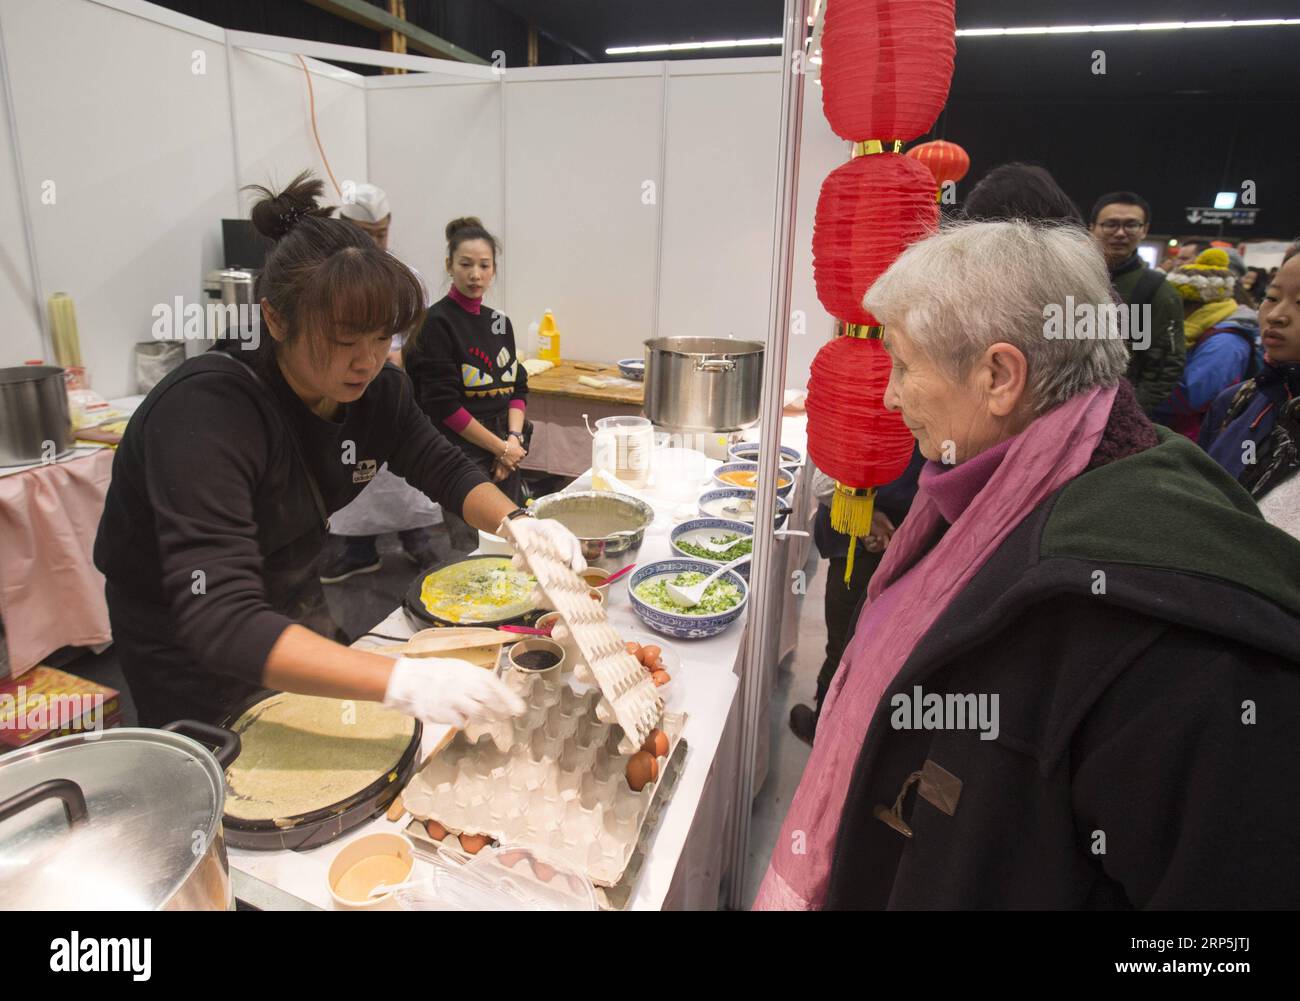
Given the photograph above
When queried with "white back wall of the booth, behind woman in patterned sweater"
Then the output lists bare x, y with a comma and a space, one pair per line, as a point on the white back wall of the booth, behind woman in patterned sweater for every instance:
626, 220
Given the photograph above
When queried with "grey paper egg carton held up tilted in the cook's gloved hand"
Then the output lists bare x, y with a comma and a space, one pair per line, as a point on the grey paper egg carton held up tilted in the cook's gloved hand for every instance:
630, 696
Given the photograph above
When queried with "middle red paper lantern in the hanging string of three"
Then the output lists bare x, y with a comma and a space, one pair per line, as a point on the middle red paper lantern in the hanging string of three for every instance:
869, 211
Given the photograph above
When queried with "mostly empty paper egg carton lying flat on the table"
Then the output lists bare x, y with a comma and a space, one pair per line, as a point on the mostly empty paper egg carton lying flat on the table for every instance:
556, 783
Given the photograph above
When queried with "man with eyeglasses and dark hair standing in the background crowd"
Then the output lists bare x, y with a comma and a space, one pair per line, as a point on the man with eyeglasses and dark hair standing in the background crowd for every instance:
1120, 223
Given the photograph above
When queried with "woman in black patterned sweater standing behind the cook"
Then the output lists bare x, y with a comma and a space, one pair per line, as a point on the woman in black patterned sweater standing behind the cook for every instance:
467, 375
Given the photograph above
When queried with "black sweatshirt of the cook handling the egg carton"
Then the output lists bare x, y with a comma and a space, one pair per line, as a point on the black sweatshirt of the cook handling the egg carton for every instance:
210, 515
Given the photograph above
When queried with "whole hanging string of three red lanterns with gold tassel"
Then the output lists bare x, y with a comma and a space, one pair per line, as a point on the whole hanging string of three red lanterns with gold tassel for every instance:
887, 67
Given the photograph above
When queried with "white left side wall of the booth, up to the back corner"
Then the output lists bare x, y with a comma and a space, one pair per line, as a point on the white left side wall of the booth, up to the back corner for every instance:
127, 110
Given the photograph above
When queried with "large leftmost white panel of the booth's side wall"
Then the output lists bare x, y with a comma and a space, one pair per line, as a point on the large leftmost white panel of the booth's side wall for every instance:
125, 162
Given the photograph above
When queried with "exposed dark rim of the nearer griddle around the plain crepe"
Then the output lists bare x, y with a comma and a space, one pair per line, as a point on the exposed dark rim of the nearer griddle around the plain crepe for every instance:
319, 827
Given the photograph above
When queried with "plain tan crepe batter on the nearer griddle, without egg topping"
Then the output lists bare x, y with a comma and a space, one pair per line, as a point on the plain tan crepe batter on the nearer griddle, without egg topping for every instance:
302, 753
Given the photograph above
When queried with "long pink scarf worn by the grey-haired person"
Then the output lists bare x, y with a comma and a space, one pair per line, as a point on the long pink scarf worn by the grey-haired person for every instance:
912, 588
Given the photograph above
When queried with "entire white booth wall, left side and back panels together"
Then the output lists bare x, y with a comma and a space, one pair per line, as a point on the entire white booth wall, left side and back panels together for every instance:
148, 155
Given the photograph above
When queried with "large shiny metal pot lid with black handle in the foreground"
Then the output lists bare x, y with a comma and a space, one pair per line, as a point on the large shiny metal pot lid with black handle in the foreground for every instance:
154, 804
